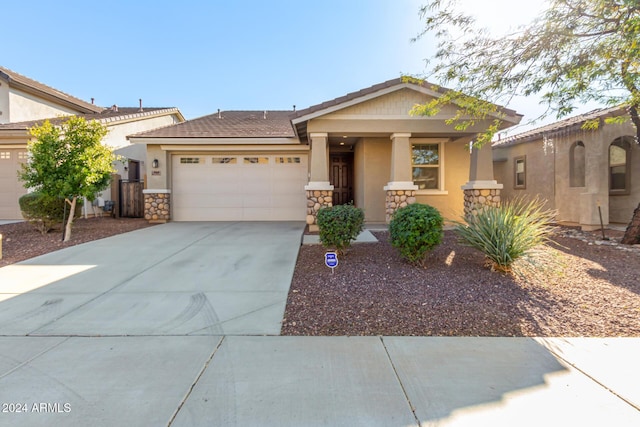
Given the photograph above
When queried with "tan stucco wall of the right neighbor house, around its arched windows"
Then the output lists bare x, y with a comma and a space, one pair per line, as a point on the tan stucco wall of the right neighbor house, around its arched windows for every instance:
548, 175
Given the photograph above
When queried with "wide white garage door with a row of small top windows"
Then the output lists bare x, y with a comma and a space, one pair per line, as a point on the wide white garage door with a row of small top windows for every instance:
247, 187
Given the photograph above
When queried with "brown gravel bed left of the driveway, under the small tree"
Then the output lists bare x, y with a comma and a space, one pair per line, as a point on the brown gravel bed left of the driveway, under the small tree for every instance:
22, 241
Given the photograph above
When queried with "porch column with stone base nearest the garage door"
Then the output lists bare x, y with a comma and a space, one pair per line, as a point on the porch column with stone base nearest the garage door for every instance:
319, 190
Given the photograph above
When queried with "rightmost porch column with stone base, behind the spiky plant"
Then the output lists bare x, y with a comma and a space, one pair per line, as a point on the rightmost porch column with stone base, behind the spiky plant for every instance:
481, 190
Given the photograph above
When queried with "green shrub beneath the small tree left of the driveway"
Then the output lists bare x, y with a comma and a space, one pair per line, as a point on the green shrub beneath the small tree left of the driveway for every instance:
44, 212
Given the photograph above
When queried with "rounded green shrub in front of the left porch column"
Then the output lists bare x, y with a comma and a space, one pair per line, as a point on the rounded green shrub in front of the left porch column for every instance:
339, 225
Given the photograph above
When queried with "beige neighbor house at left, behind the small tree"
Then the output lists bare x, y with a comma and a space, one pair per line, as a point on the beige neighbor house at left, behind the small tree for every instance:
25, 102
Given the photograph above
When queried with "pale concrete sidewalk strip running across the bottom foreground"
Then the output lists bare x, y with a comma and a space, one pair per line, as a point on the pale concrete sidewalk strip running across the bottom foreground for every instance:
309, 381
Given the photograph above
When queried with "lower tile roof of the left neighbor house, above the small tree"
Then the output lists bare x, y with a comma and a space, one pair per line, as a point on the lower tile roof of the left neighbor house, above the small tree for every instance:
106, 116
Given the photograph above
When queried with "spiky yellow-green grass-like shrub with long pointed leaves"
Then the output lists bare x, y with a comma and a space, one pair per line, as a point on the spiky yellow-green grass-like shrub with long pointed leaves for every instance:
509, 232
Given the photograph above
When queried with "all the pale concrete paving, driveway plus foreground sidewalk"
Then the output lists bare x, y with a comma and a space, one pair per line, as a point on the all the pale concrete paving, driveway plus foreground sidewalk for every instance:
176, 325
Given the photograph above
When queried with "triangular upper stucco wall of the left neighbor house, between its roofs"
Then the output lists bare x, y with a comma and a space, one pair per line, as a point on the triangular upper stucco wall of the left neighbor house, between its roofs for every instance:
25, 107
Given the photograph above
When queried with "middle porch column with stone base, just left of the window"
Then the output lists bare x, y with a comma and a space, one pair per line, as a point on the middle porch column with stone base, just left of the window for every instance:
401, 191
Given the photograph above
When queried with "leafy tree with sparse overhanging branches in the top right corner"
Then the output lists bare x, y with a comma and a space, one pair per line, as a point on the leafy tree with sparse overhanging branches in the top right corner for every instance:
574, 52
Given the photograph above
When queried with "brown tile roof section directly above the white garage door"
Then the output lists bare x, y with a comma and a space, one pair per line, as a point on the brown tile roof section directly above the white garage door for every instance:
230, 124
